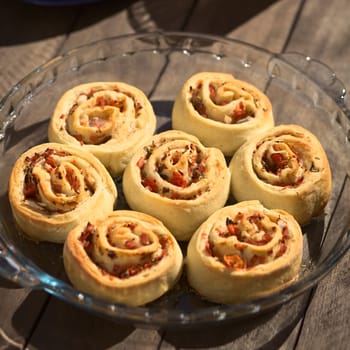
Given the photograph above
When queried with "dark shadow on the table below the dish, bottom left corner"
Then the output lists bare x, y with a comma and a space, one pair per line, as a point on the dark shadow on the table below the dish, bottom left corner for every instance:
49, 323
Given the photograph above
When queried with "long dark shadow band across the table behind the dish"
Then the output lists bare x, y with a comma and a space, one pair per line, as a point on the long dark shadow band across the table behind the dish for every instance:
31, 22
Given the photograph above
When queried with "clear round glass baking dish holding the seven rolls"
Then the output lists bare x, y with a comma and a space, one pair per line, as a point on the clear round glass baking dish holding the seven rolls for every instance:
302, 90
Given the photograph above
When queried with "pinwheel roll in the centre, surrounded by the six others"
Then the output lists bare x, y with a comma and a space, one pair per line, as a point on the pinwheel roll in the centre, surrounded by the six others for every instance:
178, 180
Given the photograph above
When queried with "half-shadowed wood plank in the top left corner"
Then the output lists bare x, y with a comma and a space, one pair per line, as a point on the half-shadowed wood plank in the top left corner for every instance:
31, 36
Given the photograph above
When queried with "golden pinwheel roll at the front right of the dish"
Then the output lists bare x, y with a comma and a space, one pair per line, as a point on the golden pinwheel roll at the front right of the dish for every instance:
243, 252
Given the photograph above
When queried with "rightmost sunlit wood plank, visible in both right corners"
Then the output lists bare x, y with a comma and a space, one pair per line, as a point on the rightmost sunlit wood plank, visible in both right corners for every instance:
324, 34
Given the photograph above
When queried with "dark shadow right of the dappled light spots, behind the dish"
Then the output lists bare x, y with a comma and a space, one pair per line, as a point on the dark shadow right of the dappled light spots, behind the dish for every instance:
215, 17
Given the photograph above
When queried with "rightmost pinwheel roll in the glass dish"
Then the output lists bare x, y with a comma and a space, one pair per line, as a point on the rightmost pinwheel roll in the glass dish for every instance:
285, 167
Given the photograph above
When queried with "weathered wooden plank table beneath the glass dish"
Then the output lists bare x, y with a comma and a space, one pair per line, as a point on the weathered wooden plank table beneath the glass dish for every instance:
30, 35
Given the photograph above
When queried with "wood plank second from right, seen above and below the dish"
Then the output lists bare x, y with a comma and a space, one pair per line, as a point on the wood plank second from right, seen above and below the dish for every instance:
280, 329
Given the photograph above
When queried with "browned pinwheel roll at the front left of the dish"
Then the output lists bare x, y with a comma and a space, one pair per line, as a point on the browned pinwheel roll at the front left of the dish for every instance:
126, 257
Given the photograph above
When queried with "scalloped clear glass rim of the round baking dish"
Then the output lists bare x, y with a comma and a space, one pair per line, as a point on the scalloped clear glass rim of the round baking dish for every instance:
26, 273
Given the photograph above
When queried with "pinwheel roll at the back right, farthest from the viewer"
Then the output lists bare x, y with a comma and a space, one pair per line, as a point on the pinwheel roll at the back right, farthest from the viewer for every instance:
222, 111
